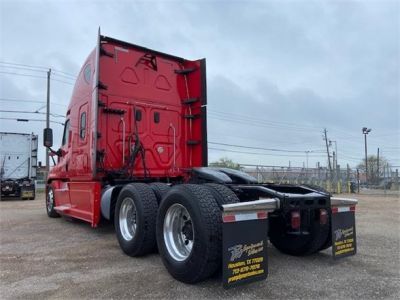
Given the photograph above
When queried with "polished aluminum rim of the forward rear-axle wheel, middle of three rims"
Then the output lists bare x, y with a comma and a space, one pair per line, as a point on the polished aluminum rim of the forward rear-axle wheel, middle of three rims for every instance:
128, 219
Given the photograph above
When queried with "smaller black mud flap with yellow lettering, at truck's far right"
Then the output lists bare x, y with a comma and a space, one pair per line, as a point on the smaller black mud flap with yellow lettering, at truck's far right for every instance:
344, 241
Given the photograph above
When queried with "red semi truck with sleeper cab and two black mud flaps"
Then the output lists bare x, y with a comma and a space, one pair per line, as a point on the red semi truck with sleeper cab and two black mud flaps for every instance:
134, 152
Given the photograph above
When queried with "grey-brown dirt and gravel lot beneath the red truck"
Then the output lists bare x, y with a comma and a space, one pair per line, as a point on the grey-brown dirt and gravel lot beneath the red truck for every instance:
60, 258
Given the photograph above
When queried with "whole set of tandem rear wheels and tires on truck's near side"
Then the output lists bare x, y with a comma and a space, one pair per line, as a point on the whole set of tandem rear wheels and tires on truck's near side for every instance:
185, 224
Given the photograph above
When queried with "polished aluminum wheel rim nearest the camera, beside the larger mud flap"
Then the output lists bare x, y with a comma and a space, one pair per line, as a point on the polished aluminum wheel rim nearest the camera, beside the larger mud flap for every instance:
178, 232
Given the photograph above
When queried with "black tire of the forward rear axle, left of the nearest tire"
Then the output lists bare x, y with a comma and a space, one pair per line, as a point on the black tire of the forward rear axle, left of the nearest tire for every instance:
143, 240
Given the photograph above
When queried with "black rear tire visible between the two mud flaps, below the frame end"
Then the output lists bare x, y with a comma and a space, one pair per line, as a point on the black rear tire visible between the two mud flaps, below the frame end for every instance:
297, 245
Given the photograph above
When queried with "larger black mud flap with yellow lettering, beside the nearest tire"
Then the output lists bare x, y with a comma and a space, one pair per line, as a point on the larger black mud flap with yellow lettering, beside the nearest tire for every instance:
244, 253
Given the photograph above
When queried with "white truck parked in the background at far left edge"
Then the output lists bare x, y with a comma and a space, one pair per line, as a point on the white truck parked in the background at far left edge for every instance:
18, 163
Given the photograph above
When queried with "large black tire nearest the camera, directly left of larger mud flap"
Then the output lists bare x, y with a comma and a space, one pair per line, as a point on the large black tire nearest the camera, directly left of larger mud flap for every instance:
204, 259
